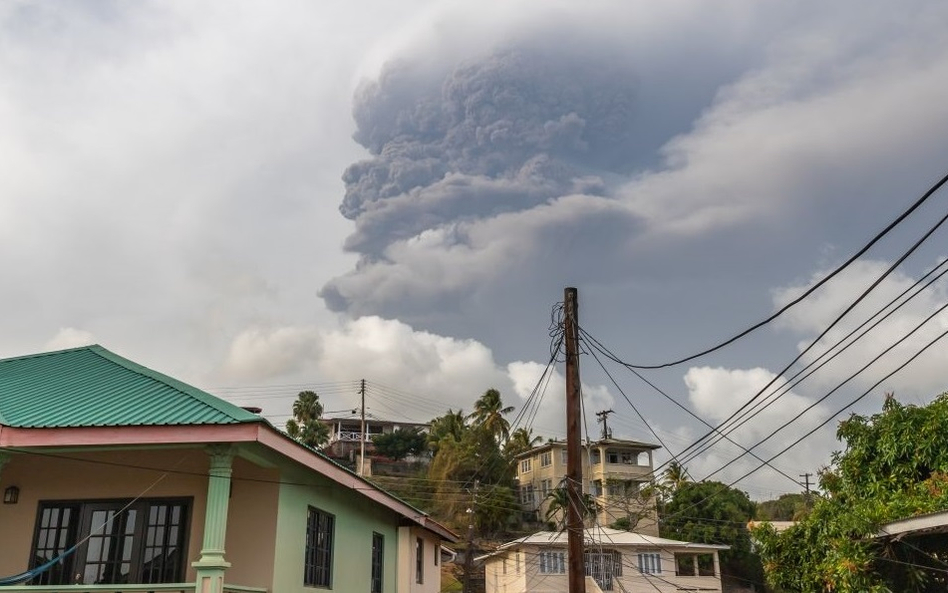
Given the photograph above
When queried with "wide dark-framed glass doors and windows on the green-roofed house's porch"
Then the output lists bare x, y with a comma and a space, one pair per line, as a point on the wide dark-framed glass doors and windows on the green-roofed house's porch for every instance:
121, 542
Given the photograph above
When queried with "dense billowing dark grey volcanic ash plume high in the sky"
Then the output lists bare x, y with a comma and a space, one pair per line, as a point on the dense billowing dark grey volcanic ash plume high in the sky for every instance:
456, 151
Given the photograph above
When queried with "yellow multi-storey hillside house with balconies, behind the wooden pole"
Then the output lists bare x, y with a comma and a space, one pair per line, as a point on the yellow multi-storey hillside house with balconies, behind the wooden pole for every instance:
614, 472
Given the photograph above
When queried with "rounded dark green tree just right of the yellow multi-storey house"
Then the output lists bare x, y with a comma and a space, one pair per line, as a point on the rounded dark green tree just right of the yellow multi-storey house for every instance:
714, 513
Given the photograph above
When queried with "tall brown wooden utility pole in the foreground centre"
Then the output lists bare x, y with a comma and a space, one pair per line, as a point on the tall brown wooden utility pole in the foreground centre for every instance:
574, 461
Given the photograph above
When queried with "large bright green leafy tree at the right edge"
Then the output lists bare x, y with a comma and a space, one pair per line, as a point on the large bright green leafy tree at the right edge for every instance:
893, 467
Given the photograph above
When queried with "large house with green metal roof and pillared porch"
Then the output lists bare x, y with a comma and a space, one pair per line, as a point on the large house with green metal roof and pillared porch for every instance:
117, 478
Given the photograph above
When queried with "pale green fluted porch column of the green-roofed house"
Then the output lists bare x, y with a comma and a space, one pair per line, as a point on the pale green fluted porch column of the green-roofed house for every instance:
211, 565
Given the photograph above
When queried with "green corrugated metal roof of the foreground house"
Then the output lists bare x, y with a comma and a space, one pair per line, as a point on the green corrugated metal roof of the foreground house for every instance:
91, 386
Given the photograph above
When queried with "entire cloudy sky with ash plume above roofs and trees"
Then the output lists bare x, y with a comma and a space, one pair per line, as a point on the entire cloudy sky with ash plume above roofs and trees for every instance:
260, 198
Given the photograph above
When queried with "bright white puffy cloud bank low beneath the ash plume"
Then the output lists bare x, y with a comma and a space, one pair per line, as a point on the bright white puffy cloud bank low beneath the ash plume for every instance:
413, 375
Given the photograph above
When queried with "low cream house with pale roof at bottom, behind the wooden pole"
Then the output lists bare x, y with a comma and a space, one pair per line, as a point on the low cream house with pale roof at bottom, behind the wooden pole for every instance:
614, 561
